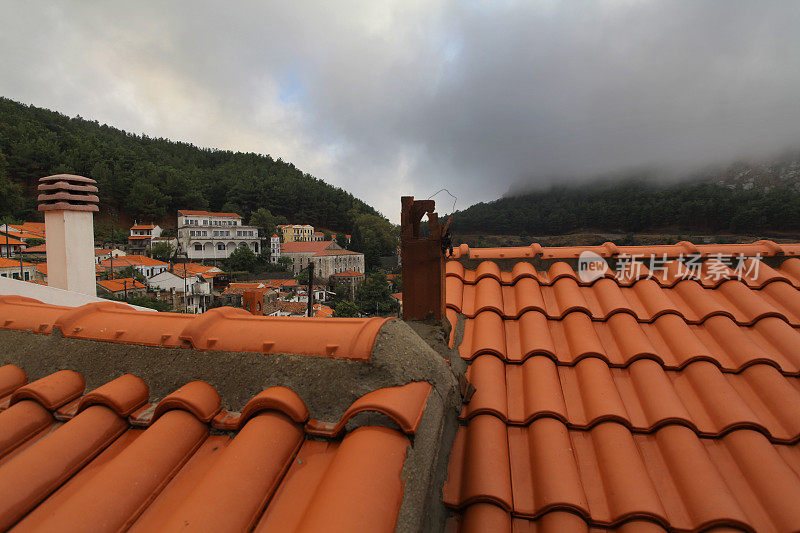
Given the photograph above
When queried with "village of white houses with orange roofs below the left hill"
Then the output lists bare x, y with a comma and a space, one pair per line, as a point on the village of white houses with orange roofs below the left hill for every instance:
189, 268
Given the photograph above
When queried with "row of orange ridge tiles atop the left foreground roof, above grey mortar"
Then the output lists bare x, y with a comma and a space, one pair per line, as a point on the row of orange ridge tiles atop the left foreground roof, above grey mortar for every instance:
223, 328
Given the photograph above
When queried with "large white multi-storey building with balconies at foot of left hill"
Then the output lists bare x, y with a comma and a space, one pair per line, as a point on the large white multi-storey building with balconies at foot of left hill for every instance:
206, 235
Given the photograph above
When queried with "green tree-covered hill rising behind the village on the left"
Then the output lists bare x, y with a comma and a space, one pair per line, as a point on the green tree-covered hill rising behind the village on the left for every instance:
150, 179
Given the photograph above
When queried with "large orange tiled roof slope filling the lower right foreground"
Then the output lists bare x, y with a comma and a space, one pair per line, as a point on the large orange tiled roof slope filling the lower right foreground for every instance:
661, 401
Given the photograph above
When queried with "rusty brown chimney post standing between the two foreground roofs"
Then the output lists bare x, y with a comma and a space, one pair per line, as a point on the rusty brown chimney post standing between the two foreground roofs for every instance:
423, 261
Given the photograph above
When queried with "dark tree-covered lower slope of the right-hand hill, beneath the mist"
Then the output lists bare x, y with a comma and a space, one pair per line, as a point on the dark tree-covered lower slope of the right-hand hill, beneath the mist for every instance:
637, 206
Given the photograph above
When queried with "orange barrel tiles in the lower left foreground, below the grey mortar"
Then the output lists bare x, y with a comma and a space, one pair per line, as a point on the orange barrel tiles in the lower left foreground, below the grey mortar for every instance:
122, 462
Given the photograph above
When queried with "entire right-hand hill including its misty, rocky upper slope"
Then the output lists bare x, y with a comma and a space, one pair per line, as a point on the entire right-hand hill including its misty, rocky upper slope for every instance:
743, 197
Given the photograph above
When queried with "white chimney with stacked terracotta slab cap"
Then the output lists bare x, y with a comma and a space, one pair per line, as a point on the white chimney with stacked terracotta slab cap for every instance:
68, 203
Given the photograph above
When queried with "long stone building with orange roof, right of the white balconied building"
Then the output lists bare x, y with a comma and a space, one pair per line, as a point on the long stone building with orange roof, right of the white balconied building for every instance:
328, 257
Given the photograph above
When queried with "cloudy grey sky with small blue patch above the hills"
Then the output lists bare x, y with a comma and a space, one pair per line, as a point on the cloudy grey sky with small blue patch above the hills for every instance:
406, 97
